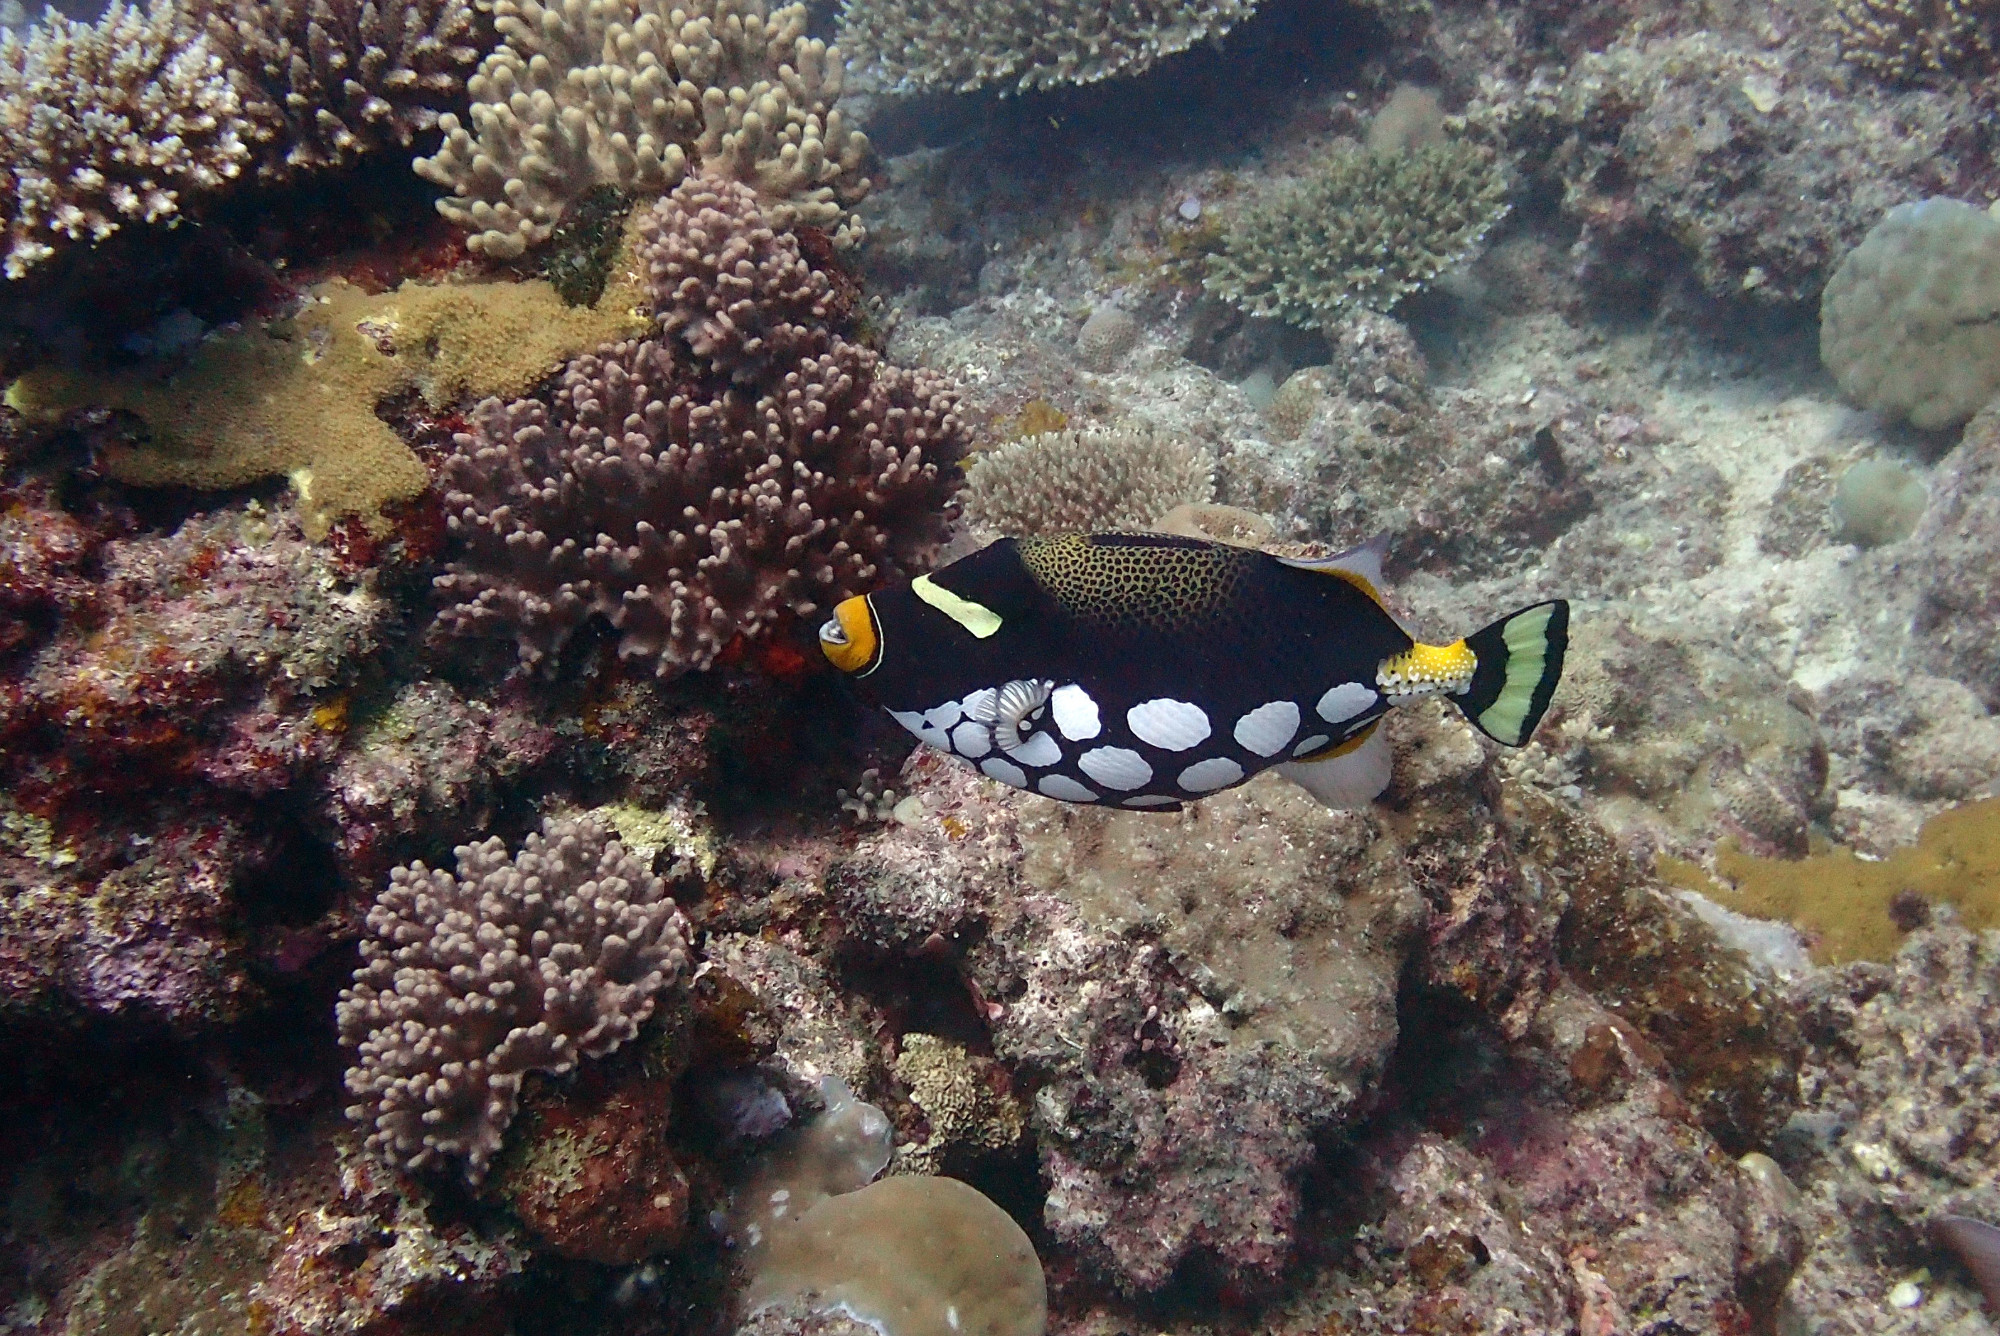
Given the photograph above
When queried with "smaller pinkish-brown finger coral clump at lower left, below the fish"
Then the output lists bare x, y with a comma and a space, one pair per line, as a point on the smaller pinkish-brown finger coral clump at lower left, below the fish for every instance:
517, 965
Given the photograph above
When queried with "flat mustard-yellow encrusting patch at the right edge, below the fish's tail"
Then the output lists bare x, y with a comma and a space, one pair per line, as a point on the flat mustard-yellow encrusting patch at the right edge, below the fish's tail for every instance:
1857, 909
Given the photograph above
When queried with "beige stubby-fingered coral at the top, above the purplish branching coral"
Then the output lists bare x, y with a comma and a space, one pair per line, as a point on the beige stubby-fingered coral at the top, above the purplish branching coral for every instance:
637, 93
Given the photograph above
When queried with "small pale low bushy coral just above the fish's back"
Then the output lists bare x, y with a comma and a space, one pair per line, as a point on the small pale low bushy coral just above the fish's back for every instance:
1085, 481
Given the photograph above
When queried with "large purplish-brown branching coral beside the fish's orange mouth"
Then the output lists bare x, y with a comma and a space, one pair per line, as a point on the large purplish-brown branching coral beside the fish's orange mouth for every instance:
747, 469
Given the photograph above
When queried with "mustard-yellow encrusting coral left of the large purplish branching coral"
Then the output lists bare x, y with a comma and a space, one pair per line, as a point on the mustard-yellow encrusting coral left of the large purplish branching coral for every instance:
299, 397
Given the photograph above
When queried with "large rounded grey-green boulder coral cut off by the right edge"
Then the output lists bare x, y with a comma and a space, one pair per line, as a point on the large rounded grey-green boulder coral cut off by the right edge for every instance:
1911, 321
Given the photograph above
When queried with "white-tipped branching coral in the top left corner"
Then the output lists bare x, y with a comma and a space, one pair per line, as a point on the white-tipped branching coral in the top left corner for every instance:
111, 123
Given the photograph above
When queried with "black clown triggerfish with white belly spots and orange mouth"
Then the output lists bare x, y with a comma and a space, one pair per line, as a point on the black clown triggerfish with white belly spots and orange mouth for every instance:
1141, 671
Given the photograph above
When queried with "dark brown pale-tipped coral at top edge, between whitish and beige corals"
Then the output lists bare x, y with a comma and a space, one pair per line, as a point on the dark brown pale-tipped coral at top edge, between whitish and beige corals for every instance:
329, 81
